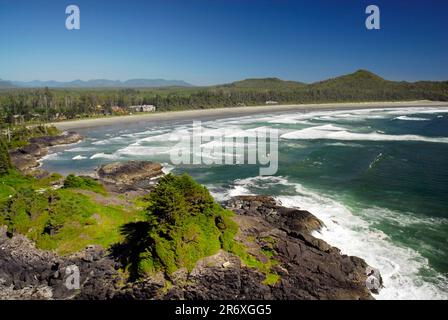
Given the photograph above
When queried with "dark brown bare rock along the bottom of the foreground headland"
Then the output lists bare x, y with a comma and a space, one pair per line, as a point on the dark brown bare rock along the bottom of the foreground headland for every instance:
307, 267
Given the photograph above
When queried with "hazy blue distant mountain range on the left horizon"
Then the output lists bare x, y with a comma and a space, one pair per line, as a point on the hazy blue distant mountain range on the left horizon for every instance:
96, 83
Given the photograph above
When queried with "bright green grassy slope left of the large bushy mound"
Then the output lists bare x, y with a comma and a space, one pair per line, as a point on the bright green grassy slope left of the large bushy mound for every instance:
64, 220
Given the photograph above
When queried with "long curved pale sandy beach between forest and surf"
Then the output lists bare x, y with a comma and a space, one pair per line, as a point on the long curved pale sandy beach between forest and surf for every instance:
236, 111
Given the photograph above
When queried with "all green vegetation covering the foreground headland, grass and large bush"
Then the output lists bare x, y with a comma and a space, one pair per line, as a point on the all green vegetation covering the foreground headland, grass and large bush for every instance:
68, 219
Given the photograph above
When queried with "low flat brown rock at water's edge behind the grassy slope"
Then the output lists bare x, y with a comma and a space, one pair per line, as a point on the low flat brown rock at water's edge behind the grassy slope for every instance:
131, 174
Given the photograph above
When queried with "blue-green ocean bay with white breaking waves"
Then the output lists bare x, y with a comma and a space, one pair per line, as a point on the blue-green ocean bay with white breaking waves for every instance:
377, 178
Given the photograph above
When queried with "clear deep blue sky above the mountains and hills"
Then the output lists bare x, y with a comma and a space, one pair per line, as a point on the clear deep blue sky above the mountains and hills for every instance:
217, 41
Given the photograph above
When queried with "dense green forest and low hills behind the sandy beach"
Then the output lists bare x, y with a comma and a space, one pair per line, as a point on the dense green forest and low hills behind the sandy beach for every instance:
43, 104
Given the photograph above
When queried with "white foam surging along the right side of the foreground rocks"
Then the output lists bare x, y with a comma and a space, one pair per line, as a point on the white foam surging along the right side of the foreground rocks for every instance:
400, 267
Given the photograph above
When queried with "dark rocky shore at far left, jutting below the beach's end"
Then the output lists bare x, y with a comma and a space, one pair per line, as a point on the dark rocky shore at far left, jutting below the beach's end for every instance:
26, 158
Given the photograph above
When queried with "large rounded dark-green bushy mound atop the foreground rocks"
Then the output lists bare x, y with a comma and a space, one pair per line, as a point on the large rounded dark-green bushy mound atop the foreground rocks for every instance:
185, 224
